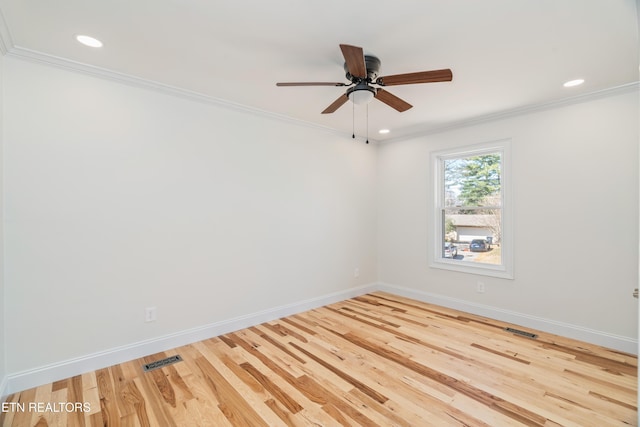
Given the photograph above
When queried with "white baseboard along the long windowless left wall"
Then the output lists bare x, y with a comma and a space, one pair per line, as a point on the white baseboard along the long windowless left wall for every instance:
91, 362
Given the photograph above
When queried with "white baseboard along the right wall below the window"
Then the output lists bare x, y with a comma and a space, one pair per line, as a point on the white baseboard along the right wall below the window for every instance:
616, 342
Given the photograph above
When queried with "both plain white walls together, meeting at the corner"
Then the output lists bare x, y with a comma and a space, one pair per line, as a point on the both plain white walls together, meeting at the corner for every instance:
117, 198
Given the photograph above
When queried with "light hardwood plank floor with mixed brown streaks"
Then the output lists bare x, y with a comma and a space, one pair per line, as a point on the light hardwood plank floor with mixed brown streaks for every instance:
378, 359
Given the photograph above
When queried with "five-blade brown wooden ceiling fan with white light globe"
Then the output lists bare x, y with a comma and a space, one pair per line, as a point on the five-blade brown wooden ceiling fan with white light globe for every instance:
362, 72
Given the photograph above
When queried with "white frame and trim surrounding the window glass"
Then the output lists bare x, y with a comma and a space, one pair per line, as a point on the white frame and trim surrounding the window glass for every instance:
504, 270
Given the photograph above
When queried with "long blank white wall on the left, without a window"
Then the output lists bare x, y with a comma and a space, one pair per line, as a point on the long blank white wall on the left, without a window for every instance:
118, 198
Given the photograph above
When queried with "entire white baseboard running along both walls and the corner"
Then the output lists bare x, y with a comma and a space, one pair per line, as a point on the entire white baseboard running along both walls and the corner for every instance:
68, 368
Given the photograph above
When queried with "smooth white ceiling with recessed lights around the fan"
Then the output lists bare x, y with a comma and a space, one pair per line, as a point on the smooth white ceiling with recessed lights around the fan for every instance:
505, 54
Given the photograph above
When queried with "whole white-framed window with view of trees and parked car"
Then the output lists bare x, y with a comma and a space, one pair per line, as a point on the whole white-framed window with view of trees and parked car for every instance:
471, 210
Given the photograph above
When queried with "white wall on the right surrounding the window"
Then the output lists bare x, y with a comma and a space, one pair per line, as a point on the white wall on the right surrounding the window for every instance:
575, 168
